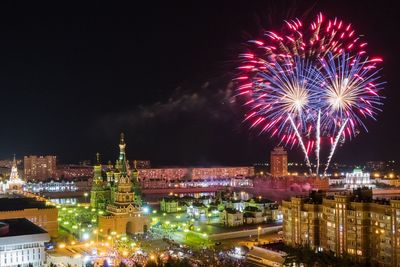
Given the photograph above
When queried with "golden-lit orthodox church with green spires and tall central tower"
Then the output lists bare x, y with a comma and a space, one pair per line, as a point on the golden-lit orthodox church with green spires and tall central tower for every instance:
118, 194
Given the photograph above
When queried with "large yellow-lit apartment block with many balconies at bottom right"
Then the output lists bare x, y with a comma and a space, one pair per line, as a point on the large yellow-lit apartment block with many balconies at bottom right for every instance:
346, 223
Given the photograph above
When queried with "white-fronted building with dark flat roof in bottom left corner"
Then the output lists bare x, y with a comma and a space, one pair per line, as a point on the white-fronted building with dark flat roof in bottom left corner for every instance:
22, 243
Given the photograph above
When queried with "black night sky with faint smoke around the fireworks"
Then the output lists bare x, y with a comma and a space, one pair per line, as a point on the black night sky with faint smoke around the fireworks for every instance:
72, 77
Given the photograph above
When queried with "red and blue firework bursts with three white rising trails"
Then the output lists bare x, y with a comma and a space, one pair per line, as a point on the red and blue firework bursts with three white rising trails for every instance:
310, 85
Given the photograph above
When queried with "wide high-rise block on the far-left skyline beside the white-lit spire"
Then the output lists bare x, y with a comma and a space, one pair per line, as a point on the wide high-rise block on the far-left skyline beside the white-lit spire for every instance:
39, 167
